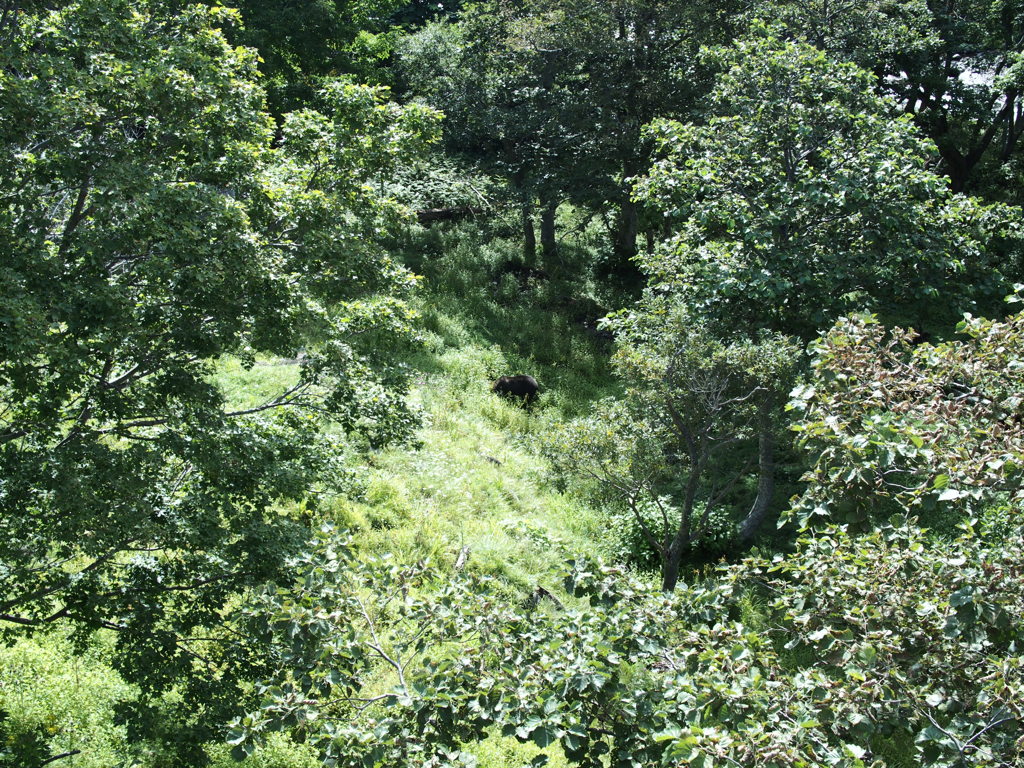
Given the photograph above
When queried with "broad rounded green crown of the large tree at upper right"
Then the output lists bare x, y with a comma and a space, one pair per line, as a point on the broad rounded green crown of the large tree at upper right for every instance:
804, 197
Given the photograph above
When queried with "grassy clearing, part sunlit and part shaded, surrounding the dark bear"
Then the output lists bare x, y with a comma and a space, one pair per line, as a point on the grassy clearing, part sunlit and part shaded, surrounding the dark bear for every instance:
477, 481
